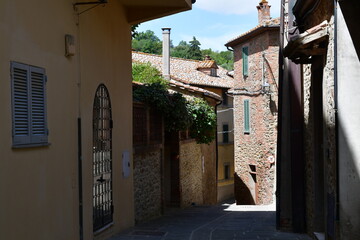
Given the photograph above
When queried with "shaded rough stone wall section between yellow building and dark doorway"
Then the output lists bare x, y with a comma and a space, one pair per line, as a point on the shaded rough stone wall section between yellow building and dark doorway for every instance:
147, 185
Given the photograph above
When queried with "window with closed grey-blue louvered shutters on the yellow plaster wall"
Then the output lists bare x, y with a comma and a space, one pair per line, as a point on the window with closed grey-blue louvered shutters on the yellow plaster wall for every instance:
29, 119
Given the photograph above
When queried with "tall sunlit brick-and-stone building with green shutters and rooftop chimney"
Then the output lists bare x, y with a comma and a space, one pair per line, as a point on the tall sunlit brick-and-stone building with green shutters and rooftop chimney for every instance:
255, 109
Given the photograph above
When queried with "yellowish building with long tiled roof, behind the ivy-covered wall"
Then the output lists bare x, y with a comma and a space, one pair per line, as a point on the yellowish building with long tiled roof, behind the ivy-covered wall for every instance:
208, 76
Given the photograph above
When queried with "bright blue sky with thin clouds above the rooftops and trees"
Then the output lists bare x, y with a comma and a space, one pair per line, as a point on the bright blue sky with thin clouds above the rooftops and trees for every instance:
212, 22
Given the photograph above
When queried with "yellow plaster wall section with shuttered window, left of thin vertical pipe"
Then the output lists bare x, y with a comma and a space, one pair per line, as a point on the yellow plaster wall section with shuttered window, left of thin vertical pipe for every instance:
38, 186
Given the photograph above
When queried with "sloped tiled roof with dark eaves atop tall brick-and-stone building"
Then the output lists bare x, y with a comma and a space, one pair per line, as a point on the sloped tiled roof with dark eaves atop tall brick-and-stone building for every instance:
272, 24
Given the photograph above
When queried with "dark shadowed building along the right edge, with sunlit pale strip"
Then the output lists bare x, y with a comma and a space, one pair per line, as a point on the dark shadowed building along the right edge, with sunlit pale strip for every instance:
319, 136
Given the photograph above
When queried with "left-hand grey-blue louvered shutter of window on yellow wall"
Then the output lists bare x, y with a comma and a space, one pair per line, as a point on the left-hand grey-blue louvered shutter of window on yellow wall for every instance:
20, 103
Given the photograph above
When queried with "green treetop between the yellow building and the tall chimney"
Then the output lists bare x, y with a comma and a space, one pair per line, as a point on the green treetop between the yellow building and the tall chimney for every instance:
147, 42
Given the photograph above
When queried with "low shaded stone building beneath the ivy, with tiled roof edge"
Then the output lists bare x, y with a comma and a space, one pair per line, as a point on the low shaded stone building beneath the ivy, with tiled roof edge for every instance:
170, 169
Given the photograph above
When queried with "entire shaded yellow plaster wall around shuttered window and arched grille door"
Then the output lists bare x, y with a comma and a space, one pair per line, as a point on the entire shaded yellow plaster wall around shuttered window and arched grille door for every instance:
39, 186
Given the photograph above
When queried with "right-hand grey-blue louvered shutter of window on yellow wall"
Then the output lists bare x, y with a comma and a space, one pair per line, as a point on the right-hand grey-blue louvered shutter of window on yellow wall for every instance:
38, 108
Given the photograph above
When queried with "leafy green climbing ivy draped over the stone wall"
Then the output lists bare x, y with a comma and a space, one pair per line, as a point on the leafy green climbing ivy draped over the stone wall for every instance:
179, 113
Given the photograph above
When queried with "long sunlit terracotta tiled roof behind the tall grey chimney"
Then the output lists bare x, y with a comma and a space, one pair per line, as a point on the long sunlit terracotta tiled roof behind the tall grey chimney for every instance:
185, 71
